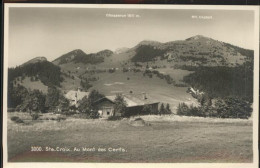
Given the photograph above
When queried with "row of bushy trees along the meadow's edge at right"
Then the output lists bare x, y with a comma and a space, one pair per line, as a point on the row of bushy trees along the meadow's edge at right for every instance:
228, 107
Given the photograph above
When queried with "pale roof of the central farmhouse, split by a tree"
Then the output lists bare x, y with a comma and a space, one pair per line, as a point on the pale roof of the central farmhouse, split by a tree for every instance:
132, 99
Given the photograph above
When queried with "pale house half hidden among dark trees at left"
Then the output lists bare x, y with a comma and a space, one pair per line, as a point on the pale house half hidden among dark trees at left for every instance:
75, 96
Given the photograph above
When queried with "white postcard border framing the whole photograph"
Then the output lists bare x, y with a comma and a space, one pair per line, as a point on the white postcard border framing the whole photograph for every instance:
150, 165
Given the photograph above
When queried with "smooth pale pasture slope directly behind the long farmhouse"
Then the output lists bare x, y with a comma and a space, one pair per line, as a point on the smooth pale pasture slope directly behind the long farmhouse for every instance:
157, 89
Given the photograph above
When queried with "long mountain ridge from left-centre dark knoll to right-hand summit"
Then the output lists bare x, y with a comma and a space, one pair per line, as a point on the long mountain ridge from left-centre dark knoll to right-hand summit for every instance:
194, 51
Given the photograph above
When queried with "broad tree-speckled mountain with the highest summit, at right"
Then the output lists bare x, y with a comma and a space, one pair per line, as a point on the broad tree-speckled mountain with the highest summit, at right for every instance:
195, 51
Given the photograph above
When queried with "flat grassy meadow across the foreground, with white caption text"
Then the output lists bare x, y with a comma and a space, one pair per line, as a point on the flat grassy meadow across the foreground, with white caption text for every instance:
171, 138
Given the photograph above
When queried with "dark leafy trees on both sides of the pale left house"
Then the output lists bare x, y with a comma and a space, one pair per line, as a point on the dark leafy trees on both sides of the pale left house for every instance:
35, 101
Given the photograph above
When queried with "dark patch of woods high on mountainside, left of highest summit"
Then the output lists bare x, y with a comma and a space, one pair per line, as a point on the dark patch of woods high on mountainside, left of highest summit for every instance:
146, 53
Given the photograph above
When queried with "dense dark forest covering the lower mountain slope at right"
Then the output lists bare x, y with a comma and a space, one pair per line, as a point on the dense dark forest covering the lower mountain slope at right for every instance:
221, 82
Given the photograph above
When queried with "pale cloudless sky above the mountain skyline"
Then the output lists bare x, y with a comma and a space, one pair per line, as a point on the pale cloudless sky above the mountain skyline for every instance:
52, 32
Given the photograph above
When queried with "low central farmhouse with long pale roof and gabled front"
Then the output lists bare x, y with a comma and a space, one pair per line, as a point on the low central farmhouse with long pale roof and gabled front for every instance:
135, 104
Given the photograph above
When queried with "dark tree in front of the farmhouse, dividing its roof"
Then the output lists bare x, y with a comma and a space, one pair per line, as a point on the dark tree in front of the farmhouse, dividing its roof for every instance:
120, 105
